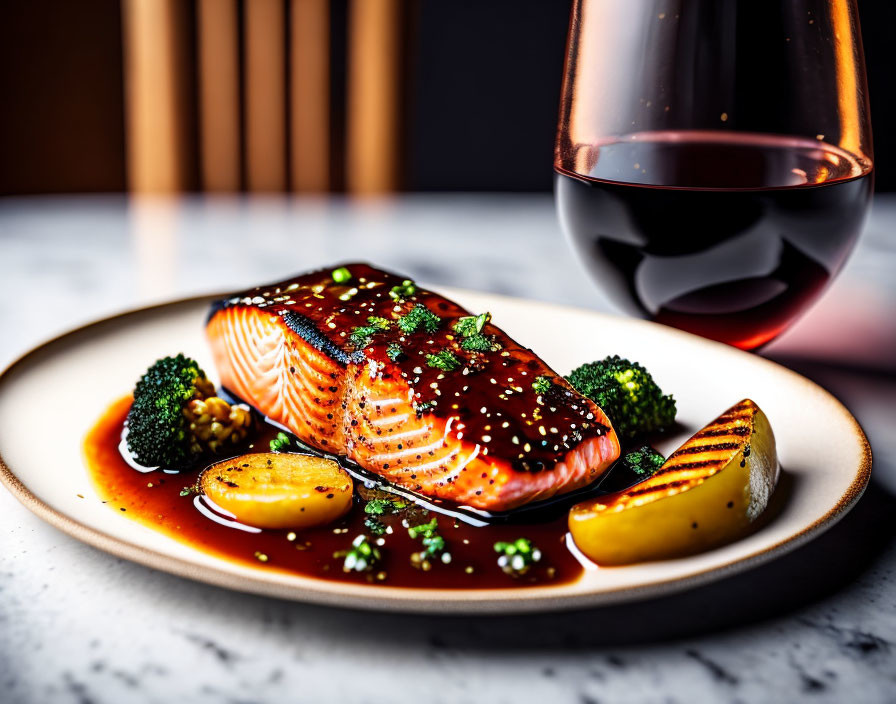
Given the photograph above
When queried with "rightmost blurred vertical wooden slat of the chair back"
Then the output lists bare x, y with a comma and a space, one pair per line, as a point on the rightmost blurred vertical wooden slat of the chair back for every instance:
375, 38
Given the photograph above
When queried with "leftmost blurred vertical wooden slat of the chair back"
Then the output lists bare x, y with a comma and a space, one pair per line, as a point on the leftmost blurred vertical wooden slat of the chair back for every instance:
154, 33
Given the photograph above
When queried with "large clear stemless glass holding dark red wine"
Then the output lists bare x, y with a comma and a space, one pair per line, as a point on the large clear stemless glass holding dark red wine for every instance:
713, 159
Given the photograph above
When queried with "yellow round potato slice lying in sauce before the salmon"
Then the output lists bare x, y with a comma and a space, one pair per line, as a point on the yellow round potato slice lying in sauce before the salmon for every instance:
279, 490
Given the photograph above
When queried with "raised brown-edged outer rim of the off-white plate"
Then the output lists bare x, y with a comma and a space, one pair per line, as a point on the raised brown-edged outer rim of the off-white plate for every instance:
409, 599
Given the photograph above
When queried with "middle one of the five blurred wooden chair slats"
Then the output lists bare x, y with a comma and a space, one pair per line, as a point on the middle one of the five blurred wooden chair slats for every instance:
265, 95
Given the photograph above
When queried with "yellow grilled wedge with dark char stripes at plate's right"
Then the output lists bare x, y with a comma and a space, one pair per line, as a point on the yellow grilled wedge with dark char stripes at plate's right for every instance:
707, 493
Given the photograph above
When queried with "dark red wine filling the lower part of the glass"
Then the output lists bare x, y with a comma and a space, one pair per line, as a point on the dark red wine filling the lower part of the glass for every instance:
743, 249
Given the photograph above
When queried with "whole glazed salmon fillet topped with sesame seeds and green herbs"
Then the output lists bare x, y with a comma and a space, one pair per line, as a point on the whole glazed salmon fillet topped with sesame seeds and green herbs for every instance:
452, 409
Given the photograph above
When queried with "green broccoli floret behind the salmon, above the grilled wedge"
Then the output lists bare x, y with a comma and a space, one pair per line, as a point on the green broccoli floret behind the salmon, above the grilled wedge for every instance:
627, 393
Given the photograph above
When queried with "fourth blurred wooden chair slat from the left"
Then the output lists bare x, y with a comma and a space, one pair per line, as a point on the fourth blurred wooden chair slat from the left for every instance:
309, 55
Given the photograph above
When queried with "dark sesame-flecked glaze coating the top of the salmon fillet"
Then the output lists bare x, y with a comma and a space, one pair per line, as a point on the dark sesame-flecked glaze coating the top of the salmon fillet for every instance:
490, 397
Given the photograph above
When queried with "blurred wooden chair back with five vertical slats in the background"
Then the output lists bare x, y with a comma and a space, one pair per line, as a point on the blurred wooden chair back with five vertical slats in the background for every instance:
262, 95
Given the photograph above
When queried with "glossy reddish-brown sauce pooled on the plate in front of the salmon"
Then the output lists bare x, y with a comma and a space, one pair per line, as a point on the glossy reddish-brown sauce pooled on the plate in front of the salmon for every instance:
154, 499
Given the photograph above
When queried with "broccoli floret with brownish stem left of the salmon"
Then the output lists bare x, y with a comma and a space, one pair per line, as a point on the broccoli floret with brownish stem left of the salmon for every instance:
176, 417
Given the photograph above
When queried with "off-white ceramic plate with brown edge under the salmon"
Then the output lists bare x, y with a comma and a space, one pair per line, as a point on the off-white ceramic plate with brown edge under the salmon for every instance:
823, 451
